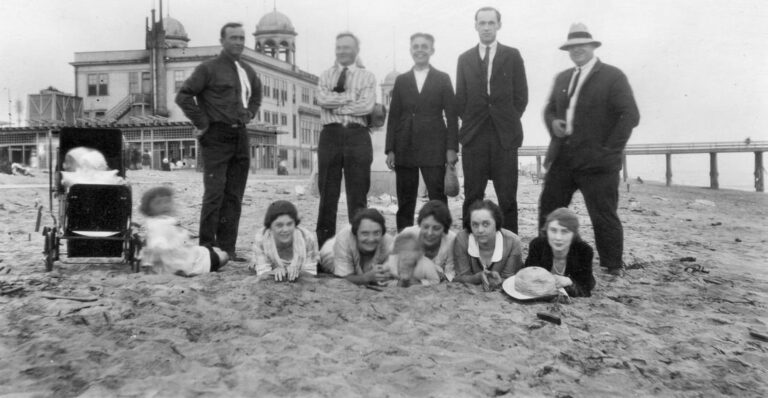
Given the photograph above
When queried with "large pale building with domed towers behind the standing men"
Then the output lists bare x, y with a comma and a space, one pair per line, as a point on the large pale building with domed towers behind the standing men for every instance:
135, 88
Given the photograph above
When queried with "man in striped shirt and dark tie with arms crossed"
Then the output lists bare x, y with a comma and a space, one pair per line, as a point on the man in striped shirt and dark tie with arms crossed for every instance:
346, 95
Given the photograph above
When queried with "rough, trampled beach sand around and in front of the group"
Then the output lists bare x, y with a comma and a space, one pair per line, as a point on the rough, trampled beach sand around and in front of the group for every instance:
666, 328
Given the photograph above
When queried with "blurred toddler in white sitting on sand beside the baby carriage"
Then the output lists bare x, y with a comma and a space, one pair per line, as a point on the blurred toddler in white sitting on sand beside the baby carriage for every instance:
169, 248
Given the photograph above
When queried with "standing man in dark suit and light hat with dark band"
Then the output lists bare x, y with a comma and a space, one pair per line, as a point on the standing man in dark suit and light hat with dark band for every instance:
590, 115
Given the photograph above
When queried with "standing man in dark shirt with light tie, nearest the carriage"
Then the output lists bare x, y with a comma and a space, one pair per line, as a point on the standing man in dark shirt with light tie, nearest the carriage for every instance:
220, 97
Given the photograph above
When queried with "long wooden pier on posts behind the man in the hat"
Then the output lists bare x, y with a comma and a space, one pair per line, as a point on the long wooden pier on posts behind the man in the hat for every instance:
712, 148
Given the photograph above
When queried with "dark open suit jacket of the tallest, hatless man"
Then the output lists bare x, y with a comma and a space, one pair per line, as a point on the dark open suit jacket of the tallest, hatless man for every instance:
506, 103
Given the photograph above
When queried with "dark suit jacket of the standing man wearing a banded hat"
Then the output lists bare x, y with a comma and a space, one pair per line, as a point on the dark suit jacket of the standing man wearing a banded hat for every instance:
603, 120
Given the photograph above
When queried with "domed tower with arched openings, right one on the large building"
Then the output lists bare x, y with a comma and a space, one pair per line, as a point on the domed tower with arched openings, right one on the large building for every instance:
276, 37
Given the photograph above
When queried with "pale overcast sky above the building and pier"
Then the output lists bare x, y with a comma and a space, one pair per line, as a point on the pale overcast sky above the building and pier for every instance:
699, 68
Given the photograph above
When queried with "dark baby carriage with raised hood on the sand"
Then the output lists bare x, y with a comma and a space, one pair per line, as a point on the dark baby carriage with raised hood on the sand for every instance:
94, 218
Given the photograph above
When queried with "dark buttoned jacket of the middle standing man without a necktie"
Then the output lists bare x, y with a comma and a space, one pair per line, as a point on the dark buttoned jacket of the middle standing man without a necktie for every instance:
416, 127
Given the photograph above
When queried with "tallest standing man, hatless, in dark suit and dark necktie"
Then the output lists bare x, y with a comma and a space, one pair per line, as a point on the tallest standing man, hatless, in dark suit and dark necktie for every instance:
491, 96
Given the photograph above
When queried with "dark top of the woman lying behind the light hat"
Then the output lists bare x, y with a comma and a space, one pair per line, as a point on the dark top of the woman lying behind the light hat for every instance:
578, 264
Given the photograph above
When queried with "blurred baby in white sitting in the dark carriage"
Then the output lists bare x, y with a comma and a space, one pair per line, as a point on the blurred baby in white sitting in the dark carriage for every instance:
84, 165
